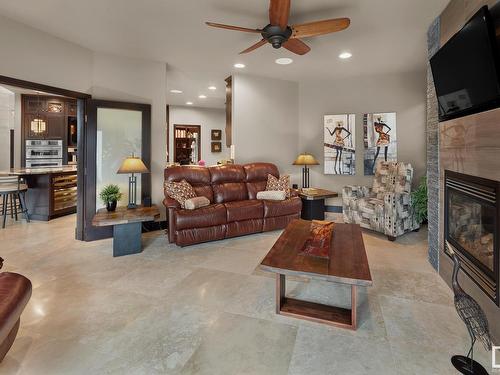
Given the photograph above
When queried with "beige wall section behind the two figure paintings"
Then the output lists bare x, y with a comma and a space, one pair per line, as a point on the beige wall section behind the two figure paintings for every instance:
404, 94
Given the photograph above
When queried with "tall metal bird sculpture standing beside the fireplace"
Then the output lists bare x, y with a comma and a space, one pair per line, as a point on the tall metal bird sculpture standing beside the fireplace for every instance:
475, 320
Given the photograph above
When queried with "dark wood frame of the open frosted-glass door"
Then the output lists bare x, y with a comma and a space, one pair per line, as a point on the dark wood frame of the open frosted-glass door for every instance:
92, 233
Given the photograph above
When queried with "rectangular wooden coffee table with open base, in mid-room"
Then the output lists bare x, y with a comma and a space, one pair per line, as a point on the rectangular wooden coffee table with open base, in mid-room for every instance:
347, 264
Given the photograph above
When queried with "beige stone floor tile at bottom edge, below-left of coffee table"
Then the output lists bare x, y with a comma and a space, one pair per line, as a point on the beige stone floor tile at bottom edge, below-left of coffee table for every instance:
235, 344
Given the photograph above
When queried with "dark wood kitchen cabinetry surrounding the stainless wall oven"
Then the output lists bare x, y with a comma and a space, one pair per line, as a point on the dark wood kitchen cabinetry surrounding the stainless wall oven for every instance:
59, 117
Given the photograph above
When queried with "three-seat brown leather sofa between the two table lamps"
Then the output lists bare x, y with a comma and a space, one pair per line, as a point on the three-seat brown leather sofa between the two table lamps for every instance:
234, 209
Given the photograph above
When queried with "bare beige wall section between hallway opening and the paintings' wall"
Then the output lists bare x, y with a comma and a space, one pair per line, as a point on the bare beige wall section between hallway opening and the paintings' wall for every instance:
265, 122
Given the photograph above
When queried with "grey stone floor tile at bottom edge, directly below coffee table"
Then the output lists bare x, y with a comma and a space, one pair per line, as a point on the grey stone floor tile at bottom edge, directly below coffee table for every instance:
319, 351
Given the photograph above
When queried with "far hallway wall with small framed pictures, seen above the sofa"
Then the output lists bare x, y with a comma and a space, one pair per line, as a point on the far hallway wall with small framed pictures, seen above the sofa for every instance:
208, 119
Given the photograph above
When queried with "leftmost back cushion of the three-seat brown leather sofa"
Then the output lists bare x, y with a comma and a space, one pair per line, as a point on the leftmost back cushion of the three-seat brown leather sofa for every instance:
198, 177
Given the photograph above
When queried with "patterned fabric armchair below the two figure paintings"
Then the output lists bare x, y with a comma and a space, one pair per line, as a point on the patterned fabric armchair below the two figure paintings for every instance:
386, 207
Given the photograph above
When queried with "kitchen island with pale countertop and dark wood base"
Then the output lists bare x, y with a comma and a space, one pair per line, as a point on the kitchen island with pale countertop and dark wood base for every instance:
52, 192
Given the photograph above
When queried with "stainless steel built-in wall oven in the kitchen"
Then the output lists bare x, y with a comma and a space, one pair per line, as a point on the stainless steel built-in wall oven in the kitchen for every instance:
44, 153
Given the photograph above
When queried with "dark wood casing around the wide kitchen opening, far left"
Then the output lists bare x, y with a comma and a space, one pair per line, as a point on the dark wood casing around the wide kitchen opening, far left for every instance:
81, 125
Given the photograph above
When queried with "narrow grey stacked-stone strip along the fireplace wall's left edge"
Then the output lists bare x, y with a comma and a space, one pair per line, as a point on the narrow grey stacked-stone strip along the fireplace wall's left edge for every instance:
433, 37
